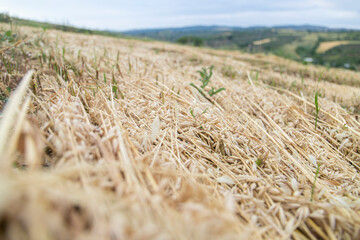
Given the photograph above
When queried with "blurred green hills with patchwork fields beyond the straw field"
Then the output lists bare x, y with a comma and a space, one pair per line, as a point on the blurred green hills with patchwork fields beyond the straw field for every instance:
300, 43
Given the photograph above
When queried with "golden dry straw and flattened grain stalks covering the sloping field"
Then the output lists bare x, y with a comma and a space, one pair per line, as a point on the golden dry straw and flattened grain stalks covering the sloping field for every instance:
106, 139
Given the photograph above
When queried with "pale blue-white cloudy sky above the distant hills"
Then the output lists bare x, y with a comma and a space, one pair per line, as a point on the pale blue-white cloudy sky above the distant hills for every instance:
135, 14
